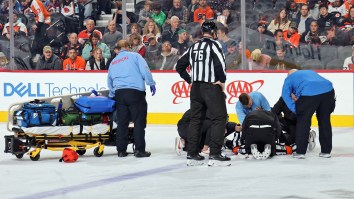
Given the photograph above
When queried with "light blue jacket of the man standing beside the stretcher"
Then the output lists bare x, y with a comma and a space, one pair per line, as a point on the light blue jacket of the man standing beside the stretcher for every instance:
121, 75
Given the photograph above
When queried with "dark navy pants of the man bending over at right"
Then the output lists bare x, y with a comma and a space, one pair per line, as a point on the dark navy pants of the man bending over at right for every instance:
306, 106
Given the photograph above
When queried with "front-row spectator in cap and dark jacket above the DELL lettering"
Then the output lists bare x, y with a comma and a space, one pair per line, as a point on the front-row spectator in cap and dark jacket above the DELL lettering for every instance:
48, 60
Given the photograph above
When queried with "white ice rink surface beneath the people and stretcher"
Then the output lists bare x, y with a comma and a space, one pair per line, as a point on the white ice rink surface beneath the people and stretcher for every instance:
165, 175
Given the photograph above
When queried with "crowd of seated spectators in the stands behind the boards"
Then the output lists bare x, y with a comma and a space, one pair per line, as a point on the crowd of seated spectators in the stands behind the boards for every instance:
281, 34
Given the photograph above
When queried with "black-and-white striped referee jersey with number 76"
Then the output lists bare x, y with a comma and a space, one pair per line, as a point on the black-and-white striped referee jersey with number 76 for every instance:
207, 62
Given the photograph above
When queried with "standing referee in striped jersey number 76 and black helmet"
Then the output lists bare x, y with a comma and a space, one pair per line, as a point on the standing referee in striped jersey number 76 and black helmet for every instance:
207, 63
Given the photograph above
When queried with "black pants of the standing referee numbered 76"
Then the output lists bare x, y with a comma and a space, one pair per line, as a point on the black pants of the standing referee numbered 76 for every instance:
207, 96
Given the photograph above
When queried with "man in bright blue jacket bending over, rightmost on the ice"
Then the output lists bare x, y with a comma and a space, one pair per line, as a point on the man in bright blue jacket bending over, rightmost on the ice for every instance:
311, 93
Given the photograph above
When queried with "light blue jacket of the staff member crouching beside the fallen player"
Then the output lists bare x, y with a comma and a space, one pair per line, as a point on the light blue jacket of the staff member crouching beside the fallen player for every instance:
258, 101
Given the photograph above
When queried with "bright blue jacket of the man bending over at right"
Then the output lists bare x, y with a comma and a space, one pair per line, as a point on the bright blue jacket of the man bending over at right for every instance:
304, 83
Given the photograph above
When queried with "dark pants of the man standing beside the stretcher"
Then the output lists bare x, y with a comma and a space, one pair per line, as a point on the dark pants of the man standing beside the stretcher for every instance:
131, 105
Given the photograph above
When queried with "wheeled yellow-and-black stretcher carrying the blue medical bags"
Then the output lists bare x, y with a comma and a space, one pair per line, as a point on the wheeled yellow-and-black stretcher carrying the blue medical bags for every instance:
33, 140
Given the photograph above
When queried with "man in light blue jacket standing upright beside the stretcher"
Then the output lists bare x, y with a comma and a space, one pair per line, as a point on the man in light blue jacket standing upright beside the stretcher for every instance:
127, 75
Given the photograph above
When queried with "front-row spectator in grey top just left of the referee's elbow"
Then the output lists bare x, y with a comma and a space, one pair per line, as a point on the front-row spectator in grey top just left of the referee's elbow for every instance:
167, 60
